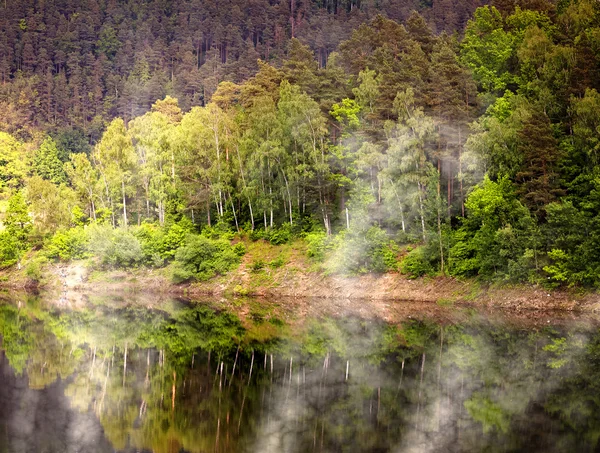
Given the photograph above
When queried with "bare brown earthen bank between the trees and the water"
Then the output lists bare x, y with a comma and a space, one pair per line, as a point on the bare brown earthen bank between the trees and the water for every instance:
286, 273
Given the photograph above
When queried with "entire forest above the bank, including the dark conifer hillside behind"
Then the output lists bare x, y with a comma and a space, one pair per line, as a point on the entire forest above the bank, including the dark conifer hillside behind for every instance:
438, 137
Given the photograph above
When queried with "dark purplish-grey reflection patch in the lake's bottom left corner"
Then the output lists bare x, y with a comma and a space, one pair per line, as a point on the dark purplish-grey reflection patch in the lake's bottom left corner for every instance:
42, 421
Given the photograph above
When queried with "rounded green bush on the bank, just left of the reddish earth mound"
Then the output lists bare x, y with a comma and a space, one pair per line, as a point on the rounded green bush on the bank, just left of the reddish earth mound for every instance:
202, 258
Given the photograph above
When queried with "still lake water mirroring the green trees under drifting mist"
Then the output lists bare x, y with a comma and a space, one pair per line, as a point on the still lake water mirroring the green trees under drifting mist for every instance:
113, 376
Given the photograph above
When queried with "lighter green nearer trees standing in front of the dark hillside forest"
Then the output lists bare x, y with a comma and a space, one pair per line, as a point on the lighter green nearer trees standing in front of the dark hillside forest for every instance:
482, 148
